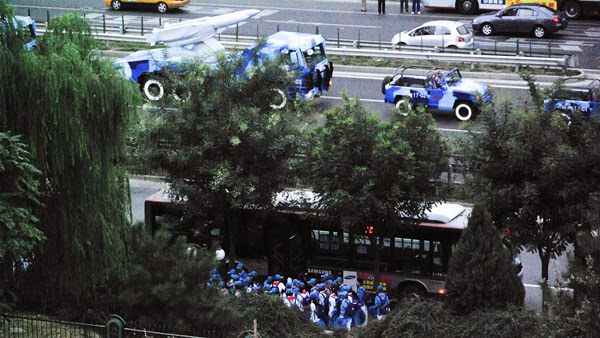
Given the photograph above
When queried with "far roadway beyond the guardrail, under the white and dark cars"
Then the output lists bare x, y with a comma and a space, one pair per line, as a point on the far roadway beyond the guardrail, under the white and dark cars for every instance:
333, 19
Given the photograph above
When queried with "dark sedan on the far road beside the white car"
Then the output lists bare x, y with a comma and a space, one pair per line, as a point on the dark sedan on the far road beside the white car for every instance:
533, 19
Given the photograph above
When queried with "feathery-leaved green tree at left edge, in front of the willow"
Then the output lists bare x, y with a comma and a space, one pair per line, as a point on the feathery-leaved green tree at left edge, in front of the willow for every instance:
19, 197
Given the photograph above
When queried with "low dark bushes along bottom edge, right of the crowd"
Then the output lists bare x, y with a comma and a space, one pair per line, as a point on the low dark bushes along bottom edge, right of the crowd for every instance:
426, 318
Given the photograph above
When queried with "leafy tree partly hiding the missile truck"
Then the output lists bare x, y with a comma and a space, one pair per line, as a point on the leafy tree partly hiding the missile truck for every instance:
225, 149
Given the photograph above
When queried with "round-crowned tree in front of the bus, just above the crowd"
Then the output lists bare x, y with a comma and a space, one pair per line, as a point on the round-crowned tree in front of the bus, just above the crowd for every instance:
368, 173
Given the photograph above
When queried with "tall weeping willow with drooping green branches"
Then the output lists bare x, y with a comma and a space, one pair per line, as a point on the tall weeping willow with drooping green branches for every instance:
74, 114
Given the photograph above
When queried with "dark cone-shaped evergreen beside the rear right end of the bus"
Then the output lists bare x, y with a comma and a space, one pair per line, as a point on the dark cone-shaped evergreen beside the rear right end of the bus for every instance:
480, 273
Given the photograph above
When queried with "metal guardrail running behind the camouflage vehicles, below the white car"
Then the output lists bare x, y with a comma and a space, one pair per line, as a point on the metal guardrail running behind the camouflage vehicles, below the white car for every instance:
475, 57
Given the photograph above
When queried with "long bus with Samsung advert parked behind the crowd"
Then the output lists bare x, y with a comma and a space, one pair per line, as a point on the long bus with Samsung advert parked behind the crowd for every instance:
294, 241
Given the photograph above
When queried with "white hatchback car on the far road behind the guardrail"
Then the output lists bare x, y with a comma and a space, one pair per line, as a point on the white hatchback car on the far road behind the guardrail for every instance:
442, 33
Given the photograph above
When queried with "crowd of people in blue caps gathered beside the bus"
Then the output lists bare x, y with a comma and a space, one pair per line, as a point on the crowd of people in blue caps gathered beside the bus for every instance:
327, 302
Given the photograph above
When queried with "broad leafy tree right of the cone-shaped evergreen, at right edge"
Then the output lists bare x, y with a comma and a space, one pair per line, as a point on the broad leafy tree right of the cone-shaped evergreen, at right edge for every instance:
534, 172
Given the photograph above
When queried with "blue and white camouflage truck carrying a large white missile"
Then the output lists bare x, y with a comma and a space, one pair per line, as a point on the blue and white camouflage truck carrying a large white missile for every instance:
194, 39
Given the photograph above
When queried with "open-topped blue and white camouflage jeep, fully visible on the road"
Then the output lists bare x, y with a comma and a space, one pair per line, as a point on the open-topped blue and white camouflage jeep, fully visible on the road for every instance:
443, 92
